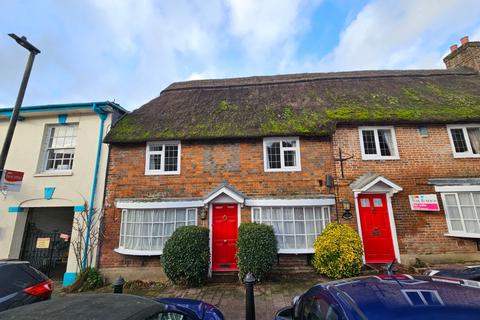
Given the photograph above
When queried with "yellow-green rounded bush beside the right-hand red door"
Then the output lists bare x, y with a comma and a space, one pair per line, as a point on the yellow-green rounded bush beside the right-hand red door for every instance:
338, 252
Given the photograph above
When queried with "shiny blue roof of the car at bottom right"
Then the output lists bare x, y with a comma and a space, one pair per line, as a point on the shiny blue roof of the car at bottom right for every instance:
400, 296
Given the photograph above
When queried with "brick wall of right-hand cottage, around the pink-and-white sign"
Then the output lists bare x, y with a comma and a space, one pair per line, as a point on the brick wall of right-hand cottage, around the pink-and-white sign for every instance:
421, 158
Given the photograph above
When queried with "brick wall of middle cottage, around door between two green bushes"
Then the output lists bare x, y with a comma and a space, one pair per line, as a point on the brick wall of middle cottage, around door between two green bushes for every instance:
205, 165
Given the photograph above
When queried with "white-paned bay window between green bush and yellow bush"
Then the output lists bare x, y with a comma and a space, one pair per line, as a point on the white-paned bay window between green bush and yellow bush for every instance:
295, 228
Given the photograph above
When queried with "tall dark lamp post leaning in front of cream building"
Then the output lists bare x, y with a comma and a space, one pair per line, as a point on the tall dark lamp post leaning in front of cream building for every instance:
21, 93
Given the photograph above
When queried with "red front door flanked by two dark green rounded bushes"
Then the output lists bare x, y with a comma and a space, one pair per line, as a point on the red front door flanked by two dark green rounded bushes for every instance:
224, 237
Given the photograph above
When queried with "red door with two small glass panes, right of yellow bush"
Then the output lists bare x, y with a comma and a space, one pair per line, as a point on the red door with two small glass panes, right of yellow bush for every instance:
376, 233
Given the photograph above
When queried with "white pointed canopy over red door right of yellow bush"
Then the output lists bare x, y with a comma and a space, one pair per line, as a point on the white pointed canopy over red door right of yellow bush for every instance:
374, 183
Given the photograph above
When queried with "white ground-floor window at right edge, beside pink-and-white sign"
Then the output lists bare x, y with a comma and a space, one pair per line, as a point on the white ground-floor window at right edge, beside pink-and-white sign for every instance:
462, 211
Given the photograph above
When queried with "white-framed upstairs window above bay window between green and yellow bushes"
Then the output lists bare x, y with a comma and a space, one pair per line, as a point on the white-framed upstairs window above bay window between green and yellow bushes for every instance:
281, 154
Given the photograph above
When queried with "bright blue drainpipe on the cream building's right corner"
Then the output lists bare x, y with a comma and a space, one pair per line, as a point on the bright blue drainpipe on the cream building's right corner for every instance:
103, 115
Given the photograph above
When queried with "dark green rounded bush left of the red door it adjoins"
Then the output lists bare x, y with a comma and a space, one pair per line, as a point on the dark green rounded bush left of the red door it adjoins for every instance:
186, 256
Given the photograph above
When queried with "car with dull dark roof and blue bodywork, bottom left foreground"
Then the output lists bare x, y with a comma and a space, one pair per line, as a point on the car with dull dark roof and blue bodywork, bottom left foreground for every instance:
114, 307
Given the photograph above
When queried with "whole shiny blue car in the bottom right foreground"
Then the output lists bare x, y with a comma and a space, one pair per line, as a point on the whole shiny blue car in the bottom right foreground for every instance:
389, 297
